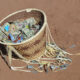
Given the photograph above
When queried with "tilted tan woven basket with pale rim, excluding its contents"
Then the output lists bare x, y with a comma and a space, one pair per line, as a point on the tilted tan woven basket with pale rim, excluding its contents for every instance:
34, 47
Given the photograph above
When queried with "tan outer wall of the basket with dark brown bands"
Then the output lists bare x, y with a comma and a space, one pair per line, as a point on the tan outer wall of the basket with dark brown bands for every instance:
34, 48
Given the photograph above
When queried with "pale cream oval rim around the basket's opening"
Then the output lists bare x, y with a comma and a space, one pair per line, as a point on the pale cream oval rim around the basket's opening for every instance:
27, 10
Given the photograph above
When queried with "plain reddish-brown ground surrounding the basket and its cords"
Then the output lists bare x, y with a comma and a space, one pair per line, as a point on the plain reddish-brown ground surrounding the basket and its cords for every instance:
64, 21
